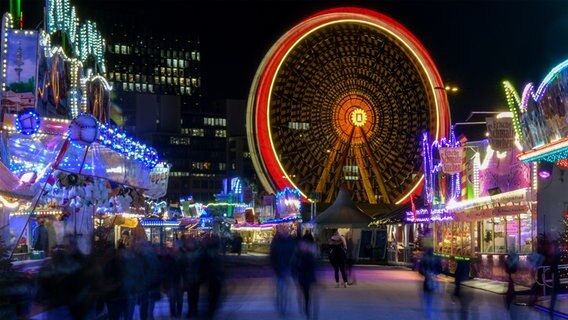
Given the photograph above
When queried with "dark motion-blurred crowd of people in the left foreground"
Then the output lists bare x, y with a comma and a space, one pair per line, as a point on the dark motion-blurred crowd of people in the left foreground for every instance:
114, 280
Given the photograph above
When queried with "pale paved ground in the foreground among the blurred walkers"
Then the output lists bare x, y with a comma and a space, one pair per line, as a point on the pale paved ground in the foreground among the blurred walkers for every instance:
379, 293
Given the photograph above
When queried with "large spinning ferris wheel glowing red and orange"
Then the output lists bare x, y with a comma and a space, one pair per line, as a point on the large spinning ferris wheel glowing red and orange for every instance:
345, 96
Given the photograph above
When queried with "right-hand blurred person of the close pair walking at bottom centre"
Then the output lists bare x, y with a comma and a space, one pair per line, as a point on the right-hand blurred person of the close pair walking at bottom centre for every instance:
305, 271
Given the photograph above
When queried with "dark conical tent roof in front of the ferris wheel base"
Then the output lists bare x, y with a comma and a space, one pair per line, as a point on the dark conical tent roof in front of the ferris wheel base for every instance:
343, 213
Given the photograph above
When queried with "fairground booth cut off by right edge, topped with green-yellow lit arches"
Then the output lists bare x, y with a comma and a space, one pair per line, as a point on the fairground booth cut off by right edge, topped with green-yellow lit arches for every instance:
541, 123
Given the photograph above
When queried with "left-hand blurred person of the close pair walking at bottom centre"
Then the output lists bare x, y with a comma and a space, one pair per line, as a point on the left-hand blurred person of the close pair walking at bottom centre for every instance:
282, 249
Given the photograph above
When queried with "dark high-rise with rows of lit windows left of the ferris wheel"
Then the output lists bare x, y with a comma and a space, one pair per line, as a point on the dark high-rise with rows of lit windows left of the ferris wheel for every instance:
157, 97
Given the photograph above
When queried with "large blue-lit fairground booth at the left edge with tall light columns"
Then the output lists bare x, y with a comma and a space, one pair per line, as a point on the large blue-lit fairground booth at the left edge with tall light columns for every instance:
65, 164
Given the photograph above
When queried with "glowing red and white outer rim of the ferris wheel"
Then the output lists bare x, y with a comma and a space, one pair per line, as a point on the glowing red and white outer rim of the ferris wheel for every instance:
259, 134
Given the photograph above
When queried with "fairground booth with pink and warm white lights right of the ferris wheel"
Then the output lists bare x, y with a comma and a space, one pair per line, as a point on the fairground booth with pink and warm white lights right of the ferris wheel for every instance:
480, 201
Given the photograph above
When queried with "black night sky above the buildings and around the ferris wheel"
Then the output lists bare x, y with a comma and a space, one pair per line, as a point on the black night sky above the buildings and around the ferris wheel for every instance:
474, 44
